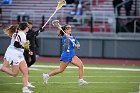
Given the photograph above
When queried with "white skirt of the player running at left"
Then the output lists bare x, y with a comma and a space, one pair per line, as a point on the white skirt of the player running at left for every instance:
14, 56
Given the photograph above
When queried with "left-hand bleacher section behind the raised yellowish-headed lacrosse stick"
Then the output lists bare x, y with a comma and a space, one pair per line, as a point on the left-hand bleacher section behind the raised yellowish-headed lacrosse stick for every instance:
35, 9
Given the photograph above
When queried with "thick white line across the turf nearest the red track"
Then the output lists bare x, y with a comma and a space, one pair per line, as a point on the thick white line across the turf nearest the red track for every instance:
90, 68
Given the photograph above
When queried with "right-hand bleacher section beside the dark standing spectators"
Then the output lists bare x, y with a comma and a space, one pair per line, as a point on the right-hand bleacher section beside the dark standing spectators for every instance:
104, 16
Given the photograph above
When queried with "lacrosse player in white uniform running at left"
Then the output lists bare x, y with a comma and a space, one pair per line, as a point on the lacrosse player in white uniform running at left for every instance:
14, 54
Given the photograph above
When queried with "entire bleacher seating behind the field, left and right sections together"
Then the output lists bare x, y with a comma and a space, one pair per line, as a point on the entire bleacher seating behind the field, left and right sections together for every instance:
103, 14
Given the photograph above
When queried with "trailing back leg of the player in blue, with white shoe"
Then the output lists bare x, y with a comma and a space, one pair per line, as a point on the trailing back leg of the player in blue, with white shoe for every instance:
62, 67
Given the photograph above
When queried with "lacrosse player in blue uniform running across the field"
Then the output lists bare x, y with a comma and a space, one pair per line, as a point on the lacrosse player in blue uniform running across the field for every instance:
68, 55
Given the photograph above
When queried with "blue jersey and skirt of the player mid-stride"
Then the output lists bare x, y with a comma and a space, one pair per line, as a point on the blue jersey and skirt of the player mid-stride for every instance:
69, 48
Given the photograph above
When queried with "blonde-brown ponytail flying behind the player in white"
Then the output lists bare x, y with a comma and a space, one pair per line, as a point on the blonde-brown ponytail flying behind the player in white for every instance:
9, 31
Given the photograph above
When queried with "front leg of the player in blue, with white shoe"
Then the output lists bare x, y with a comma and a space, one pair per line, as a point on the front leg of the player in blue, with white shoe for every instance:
77, 62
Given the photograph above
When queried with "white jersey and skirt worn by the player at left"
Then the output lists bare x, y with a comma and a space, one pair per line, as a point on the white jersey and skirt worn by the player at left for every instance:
15, 55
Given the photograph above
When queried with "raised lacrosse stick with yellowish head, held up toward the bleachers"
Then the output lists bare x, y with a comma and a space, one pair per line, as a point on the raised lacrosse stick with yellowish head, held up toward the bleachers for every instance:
59, 6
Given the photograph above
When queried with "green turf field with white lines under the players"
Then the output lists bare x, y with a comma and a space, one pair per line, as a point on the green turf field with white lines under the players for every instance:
101, 78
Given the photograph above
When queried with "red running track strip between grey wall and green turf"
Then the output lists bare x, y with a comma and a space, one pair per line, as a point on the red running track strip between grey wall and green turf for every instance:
92, 60
